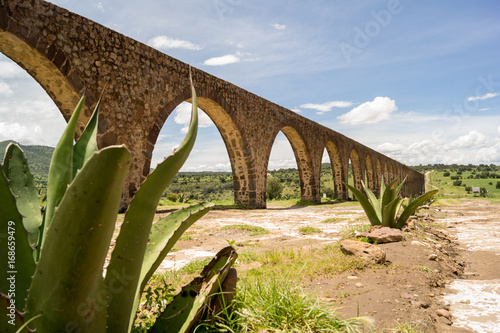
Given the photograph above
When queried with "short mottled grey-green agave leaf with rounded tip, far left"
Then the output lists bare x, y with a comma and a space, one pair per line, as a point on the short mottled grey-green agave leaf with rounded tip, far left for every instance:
23, 187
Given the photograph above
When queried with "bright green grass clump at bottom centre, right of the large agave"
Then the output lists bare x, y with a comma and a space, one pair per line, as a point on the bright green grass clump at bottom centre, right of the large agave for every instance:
279, 305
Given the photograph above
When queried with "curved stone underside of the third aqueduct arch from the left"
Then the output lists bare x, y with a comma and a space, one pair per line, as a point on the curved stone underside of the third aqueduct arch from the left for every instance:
304, 163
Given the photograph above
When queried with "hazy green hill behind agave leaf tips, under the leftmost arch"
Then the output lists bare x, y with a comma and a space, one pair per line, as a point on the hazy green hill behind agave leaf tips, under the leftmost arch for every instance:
38, 158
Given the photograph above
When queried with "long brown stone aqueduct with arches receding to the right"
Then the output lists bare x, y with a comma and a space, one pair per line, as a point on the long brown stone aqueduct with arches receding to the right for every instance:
64, 52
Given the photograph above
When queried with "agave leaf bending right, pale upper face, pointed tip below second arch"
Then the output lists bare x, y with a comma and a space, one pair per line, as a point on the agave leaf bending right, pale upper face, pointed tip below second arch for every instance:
164, 234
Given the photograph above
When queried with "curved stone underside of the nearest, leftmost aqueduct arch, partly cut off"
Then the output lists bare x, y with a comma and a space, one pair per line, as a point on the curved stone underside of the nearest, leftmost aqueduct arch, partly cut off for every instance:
49, 68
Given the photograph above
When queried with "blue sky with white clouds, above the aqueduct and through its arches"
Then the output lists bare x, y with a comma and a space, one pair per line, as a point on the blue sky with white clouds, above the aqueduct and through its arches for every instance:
416, 80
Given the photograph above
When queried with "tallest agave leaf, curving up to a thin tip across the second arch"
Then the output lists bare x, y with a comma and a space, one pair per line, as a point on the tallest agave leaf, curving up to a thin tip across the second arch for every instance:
129, 251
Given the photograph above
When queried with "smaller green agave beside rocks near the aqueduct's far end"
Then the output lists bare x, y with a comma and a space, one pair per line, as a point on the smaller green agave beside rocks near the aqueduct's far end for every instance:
384, 211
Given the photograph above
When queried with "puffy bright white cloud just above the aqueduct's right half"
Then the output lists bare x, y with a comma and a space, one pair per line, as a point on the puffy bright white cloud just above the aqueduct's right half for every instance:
378, 110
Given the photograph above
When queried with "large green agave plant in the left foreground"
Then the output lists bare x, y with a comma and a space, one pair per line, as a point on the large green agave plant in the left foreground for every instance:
55, 262
